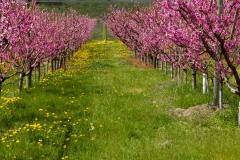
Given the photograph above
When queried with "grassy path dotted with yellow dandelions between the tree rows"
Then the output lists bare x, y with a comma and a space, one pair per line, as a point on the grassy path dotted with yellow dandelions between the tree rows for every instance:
106, 107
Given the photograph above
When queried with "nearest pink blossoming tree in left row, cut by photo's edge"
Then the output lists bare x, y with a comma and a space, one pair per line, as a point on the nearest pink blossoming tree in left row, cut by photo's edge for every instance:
15, 24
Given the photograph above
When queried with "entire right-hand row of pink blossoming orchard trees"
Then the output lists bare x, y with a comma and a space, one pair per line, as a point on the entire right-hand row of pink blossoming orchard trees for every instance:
197, 35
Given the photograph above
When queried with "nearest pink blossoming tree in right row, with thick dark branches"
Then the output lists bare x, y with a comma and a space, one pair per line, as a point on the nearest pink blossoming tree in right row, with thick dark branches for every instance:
211, 35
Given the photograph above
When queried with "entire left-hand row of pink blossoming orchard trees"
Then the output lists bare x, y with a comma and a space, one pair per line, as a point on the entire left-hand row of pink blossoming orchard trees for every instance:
30, 36
